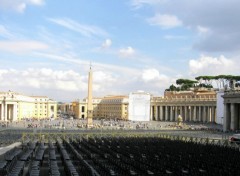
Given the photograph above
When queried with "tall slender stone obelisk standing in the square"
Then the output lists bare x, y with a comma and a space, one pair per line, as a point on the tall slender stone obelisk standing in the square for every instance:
90, 106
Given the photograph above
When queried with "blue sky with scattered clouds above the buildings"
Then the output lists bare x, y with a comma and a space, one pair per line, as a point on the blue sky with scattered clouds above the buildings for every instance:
47, 46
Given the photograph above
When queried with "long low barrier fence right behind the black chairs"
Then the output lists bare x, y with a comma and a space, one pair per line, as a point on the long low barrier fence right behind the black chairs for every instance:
54, 136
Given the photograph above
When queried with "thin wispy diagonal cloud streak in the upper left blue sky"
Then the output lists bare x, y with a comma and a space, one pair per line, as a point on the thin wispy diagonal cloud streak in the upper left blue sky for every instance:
86, 30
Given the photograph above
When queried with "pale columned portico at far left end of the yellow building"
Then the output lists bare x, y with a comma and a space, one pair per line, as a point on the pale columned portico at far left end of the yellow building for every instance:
8, 111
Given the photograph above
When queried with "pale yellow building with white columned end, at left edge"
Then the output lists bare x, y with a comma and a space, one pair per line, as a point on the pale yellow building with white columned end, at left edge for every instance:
15, 106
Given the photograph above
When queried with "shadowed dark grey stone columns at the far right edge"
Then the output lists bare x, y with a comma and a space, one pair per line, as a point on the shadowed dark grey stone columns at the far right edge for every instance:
231, 116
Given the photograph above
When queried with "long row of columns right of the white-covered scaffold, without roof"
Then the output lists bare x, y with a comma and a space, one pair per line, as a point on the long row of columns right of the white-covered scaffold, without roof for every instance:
190, 113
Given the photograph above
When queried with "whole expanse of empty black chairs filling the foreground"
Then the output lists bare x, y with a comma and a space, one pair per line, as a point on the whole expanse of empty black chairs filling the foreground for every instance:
123, 156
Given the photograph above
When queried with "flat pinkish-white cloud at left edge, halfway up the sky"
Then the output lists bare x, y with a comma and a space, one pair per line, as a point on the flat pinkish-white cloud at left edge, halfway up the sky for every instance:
22, 46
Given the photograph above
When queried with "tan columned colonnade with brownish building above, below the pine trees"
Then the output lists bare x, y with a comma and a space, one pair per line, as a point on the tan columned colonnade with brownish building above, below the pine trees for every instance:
193, 106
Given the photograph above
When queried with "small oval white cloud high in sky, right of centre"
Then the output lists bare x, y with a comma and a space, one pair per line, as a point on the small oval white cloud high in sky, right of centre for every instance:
164, 21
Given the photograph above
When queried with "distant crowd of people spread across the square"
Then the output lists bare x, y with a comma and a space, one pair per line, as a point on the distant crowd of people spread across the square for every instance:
67, 123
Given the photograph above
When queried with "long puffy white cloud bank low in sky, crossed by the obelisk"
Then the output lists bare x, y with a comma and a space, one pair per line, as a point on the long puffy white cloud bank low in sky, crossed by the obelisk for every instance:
67, 82
